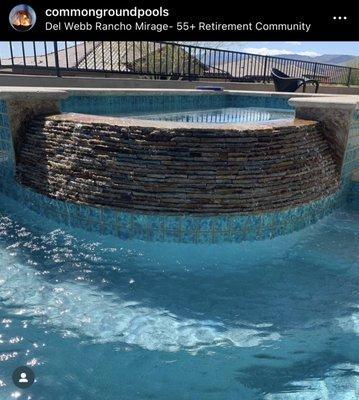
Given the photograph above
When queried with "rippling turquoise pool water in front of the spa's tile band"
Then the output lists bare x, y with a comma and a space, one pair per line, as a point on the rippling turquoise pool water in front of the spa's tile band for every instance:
100, 318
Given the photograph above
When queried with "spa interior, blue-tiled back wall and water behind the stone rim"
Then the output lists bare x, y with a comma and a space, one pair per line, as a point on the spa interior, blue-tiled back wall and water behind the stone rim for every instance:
213, 108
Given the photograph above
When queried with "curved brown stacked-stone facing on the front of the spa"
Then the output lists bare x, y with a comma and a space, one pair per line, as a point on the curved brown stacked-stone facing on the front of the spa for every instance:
167, 167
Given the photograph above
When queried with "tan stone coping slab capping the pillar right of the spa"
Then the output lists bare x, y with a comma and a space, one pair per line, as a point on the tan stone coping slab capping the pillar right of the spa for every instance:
338, 102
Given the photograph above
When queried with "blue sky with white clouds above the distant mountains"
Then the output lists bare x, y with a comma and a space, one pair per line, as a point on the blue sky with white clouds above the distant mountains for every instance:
302, 48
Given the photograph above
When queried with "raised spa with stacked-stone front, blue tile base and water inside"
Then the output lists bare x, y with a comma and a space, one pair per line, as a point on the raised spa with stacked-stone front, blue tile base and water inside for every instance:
183, 166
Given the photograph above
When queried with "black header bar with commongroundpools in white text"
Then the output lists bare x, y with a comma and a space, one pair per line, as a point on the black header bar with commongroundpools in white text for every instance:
165, 20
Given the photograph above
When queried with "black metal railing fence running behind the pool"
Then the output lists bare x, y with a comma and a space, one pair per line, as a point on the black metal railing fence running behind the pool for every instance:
161, 60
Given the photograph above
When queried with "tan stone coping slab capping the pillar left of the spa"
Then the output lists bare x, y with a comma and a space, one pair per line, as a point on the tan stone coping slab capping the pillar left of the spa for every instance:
31, 93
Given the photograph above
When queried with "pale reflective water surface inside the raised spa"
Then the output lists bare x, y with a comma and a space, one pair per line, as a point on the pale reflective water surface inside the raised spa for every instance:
223, 115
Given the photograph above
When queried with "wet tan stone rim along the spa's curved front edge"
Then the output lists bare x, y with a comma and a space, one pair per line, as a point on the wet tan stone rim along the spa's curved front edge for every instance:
169, 125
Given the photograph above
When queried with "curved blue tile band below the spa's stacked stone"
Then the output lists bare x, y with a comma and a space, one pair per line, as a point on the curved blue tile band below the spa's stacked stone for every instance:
181, 228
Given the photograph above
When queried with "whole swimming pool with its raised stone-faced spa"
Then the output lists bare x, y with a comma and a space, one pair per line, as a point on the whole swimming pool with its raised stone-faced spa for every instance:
104, 301
